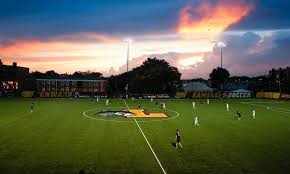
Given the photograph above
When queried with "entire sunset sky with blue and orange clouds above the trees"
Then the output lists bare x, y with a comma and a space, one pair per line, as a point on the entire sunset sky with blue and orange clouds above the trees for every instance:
72, 35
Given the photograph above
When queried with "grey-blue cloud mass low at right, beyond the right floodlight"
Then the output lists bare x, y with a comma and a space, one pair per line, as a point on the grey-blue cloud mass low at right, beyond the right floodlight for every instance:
252, 54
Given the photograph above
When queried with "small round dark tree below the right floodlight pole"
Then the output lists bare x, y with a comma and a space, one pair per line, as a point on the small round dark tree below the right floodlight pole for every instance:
218, 77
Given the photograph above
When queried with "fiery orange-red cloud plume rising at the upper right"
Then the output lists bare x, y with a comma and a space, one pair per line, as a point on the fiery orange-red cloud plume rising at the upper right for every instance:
207, 17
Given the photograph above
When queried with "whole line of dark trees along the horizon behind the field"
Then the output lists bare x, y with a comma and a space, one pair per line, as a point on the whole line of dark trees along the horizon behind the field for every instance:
156, 76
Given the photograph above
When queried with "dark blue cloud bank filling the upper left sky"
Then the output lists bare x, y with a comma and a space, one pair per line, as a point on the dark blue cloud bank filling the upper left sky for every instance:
45, 19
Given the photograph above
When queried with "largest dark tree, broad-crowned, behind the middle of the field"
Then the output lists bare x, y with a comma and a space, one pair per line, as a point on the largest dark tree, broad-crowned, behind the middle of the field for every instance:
152, 77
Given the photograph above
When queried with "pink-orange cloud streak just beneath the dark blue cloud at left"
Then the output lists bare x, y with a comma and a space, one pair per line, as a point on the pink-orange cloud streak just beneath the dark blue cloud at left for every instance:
66, 43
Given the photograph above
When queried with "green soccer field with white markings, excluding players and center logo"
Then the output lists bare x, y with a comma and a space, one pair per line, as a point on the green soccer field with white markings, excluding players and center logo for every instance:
65, 136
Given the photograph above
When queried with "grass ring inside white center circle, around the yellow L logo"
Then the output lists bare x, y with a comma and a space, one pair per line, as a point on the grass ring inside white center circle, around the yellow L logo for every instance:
87, 114
